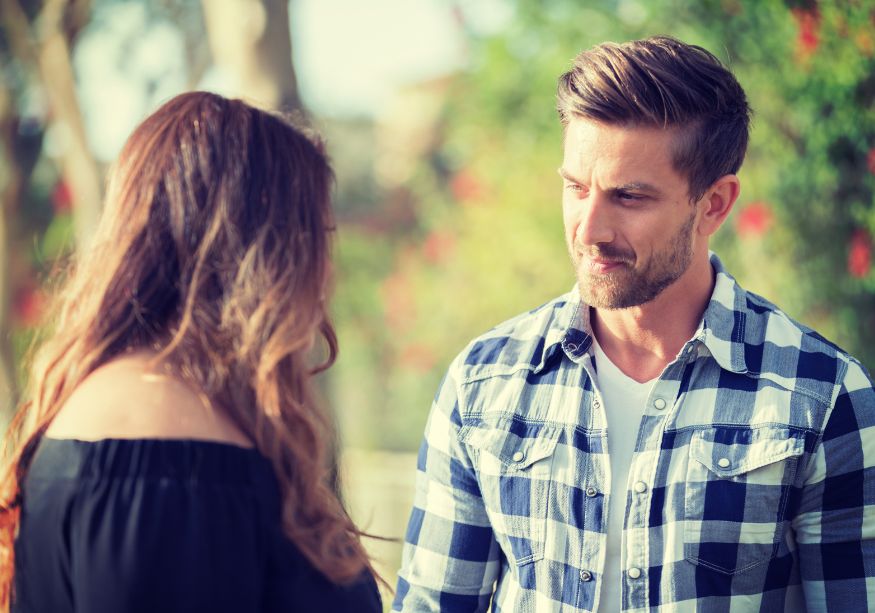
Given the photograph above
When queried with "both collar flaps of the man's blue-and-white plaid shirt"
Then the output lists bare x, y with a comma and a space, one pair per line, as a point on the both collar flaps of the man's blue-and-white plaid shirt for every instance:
721, 331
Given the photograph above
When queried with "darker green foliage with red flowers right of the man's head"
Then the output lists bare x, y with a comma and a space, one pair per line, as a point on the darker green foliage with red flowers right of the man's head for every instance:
812, 85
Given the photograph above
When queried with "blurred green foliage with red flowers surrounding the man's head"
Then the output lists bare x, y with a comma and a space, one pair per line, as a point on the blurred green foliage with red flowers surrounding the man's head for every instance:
489, 242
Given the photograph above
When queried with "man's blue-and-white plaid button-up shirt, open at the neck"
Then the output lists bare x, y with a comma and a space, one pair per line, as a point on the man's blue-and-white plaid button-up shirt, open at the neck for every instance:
751, 487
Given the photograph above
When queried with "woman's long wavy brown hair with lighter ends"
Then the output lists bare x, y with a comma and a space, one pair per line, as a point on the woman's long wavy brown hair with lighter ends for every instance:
213, 251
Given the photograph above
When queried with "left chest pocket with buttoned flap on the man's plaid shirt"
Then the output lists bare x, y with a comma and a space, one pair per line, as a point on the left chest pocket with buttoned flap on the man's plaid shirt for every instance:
514, 462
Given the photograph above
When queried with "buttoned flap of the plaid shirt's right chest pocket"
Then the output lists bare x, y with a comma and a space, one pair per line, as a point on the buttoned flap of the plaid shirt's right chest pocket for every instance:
728, 452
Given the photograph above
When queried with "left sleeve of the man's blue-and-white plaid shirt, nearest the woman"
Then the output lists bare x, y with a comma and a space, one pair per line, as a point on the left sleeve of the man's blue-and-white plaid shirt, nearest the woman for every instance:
451, 559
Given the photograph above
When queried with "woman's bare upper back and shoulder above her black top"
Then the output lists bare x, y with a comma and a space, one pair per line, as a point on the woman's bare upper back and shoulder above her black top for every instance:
128, 398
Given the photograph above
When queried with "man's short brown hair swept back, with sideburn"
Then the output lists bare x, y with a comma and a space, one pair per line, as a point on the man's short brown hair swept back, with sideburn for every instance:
662, 82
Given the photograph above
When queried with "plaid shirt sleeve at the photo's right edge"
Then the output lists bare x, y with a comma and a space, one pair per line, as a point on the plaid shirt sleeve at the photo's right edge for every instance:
835, 528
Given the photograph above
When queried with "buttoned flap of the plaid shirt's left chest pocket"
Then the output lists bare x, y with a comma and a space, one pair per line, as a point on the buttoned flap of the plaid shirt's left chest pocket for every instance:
517, 443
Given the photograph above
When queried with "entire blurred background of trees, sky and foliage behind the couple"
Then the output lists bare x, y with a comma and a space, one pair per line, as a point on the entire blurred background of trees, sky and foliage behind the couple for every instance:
439, 117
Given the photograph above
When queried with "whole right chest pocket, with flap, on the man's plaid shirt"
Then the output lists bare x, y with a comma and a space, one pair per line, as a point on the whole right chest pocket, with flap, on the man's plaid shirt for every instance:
738, 481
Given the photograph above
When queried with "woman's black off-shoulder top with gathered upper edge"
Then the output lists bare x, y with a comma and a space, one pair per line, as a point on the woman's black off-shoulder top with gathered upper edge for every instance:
157, 525
